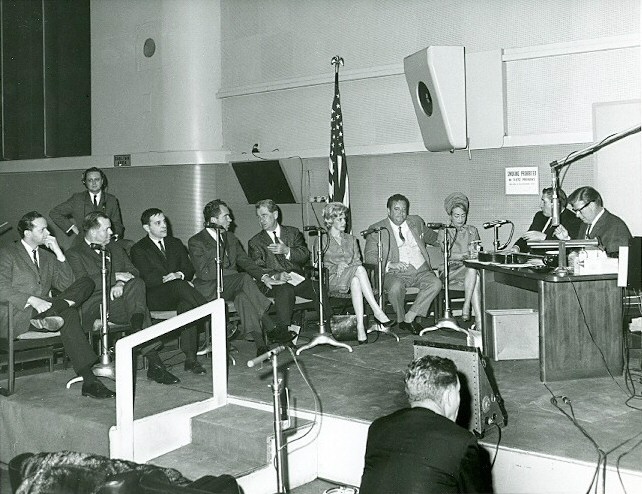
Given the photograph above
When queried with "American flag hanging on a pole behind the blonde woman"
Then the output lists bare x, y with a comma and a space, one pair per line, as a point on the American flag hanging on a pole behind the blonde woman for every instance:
338, 177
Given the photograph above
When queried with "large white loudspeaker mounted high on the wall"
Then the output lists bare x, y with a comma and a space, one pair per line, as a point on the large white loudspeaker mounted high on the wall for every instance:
436, 79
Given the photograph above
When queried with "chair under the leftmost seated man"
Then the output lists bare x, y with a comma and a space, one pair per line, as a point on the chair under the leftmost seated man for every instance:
27, 347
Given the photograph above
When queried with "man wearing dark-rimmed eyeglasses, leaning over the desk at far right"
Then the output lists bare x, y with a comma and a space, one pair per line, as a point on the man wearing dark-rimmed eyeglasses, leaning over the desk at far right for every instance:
597, 222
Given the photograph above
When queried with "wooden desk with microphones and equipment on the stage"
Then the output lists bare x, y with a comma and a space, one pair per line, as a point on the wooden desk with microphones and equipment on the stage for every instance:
568, 349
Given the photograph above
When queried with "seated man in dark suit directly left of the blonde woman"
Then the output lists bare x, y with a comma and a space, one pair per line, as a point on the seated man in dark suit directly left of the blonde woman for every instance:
282, 250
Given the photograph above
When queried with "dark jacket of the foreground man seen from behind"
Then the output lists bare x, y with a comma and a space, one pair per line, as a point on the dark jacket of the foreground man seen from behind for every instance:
417, 451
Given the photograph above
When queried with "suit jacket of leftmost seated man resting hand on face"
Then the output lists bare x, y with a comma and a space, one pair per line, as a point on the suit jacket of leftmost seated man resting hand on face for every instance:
20, 279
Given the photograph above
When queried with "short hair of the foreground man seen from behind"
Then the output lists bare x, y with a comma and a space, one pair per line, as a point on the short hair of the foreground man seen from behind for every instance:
428, 377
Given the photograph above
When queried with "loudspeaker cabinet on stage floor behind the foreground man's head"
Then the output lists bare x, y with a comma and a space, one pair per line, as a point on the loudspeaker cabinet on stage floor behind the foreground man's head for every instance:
482, 407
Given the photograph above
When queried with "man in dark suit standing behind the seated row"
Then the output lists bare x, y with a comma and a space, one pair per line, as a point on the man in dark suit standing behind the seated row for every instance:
69, 215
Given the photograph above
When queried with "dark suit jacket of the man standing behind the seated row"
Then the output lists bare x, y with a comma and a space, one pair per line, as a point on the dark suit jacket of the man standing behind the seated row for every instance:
73, 212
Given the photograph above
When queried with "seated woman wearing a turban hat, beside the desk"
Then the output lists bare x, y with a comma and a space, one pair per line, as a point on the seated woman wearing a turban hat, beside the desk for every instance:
460, 276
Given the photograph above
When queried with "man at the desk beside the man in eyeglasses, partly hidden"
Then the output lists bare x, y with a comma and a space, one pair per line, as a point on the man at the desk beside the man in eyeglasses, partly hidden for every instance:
542, 228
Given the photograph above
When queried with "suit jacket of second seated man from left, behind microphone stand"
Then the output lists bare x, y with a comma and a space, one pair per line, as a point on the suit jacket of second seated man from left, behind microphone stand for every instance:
86, 262
